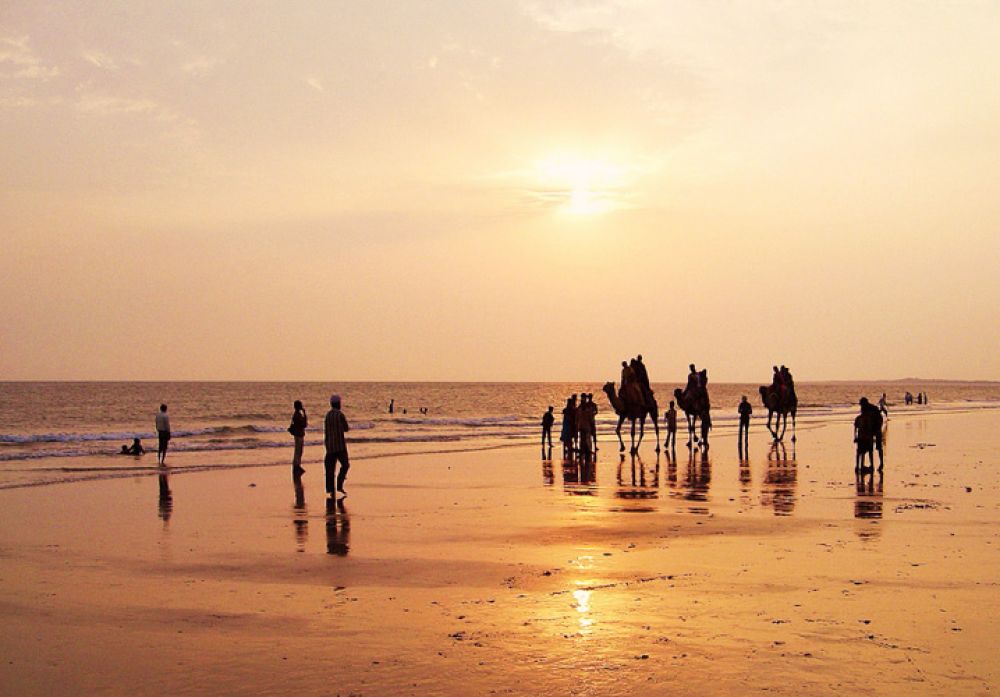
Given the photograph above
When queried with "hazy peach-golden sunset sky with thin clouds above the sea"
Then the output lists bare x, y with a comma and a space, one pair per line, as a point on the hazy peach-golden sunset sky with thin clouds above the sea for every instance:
506, 190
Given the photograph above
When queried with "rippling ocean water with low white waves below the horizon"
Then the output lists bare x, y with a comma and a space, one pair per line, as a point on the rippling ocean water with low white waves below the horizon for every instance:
56, 432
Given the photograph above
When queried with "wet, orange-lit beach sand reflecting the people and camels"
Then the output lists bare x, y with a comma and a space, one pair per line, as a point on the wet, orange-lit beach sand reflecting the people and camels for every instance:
495, 572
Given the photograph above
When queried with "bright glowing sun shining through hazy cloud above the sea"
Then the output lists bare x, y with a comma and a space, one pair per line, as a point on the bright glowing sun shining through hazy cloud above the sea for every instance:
581, 186
